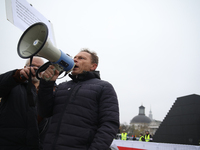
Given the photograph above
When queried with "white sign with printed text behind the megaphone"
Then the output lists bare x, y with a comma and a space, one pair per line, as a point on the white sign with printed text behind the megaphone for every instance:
23, 15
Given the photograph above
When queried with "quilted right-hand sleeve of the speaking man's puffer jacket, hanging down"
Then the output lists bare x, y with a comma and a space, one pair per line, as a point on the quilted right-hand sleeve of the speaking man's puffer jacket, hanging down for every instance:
108, 119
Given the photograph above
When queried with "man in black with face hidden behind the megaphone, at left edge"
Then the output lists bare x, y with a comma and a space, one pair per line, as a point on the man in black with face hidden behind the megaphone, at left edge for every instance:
18, 114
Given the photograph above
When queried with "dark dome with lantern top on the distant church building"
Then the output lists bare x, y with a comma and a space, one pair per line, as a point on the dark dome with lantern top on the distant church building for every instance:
141, 118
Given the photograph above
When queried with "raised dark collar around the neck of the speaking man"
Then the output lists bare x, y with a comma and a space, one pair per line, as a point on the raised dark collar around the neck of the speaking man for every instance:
85, 76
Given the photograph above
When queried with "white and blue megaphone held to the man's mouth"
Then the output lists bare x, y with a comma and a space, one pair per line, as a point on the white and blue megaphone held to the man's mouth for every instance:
34, 42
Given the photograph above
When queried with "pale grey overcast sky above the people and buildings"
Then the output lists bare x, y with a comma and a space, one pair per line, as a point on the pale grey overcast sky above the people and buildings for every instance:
148, 49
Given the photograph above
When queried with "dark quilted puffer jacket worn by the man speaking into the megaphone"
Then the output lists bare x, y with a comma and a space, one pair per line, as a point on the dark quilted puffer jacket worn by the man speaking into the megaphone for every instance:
85, 113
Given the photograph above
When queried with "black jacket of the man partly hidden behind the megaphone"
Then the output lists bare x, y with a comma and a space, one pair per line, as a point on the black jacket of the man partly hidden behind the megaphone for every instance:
18, 121
